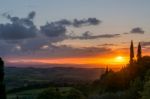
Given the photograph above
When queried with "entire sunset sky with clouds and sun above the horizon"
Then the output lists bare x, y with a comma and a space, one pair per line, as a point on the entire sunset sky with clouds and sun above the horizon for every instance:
72, 31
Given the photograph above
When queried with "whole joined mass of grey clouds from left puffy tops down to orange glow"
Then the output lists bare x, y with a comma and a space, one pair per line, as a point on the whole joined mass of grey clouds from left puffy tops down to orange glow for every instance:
21, 37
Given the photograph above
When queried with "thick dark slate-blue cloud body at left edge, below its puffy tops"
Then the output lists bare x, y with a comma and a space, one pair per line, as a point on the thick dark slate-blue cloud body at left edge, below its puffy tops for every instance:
16, 31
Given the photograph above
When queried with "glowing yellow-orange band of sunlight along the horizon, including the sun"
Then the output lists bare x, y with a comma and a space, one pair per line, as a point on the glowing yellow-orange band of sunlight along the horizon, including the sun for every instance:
113, 61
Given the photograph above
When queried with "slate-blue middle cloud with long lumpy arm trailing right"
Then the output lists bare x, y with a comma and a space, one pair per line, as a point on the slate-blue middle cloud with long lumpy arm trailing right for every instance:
57, 30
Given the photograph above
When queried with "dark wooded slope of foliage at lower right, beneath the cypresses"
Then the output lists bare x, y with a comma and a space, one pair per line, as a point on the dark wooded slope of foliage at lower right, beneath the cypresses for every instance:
128, 82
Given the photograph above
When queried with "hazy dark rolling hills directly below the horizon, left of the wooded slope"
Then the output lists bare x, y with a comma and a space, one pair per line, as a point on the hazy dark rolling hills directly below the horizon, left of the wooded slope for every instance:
18, 77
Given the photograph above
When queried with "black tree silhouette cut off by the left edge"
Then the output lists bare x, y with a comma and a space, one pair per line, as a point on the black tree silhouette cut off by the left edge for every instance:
2, 84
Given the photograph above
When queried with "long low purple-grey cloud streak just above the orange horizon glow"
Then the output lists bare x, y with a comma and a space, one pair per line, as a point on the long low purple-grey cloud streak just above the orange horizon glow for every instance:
64, 51
